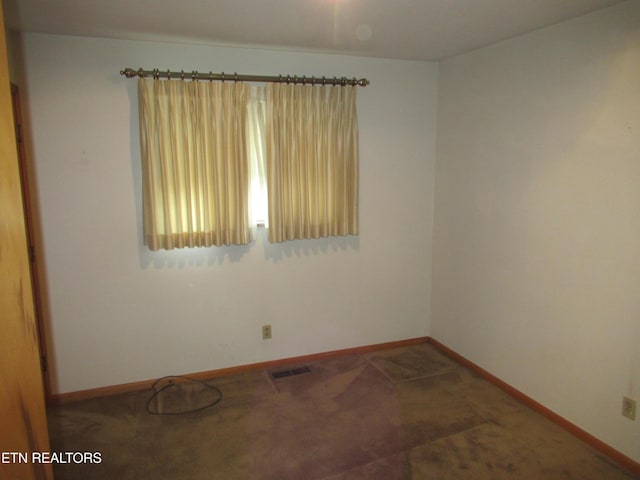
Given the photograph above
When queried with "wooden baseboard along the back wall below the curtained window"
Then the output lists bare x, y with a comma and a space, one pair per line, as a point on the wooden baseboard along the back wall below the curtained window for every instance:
146, 384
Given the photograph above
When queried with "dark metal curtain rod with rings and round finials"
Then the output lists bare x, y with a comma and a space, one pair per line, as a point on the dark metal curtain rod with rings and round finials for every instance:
194, 75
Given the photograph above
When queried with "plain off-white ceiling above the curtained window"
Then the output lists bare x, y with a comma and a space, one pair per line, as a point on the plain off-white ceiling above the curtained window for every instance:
401, 29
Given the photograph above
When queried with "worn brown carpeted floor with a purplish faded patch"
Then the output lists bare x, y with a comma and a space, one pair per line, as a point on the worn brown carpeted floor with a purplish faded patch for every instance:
406, 413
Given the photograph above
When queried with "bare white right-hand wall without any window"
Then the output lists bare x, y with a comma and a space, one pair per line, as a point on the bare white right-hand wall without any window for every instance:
536, 274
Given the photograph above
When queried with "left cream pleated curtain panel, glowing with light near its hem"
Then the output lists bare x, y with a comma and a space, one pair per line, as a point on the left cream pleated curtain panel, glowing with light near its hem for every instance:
195, 165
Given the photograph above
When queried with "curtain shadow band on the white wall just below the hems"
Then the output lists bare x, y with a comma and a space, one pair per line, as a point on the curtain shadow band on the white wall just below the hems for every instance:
208, 256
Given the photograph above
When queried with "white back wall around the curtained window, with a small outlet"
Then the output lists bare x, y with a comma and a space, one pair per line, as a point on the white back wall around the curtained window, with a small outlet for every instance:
120, 313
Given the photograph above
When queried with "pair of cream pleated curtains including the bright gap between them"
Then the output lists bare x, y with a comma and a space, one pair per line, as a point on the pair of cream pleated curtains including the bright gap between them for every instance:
206, 148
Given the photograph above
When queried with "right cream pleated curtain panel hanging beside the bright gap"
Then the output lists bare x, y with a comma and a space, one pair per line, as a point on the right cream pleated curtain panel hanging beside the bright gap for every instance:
311, 161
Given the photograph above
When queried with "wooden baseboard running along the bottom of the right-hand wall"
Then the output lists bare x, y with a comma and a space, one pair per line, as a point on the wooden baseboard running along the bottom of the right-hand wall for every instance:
599, 445
